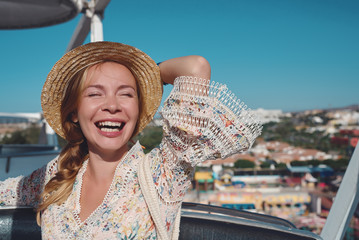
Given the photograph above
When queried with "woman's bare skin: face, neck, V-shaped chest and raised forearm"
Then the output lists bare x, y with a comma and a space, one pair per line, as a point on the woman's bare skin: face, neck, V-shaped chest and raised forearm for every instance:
110, 95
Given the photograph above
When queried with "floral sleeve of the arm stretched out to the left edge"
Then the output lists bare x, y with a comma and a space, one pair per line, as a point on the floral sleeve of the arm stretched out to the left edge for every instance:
25, 191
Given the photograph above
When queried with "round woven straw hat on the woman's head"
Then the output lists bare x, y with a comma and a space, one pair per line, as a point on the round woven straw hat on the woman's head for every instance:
144, 69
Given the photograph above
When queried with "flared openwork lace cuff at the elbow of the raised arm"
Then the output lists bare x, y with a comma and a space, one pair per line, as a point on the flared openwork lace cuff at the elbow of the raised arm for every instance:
204, 120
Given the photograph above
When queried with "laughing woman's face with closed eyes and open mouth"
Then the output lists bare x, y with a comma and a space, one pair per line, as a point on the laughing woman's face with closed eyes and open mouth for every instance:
108, 108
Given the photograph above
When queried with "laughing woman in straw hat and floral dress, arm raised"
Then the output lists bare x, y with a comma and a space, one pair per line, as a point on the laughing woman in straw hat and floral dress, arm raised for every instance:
97, 97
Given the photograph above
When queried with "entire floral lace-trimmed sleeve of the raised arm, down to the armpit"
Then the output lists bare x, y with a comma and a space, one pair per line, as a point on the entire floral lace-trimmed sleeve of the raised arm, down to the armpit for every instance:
201, 120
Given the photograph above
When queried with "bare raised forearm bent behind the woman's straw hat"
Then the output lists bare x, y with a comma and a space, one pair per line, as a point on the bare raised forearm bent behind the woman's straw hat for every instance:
193, 65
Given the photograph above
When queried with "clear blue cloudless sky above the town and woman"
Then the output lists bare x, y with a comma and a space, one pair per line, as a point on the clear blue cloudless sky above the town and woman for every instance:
274, 54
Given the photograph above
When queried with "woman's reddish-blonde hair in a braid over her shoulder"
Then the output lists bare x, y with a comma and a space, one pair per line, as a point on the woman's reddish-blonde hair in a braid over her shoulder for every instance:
72, 156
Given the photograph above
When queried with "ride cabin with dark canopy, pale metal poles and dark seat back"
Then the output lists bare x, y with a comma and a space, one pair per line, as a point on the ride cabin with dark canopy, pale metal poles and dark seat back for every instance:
198, 221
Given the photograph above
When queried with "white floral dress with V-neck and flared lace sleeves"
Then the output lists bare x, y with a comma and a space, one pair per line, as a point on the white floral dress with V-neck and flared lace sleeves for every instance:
201, 120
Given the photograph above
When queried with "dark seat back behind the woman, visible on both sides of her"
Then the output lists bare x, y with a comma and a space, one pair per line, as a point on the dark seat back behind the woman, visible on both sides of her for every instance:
20, 223
